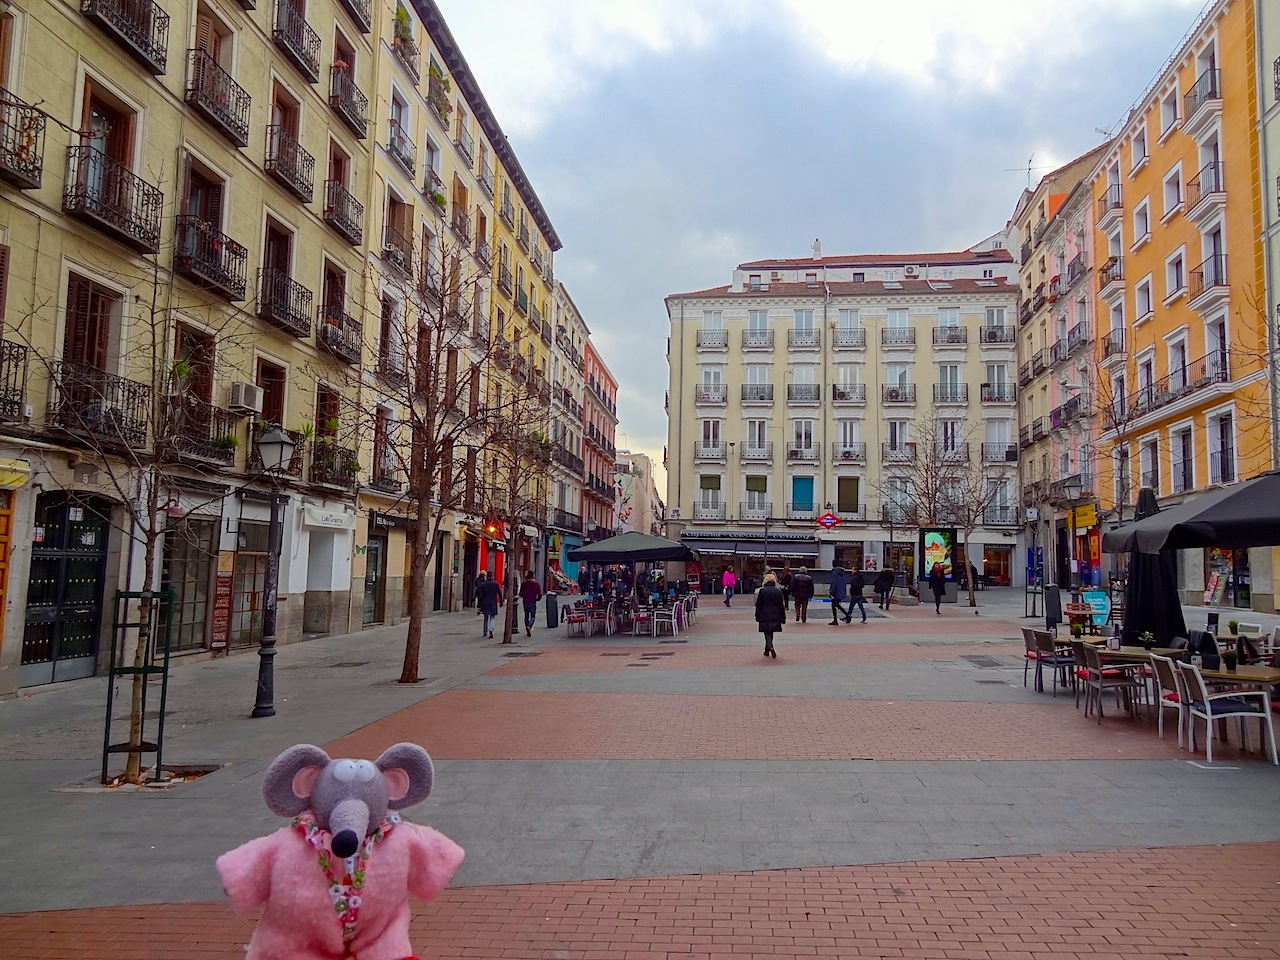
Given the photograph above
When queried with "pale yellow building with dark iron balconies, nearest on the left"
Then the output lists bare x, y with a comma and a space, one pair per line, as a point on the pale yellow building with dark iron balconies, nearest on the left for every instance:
172, 259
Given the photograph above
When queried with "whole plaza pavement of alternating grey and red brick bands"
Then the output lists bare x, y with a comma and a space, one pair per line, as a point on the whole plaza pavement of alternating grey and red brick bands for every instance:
880, 790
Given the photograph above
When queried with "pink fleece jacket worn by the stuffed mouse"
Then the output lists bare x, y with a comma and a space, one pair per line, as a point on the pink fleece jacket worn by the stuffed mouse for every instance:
300, 922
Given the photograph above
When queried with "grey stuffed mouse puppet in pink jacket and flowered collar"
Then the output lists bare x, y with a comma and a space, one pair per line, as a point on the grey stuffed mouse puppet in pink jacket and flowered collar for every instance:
336, 883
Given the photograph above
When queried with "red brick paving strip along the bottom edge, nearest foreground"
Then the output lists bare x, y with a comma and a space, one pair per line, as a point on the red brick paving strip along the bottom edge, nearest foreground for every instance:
1201, 903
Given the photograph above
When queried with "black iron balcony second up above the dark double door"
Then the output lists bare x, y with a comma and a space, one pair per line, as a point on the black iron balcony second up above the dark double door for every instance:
109, 196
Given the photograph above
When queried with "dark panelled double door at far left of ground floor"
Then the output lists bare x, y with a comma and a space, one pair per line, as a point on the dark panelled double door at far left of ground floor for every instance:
65, 591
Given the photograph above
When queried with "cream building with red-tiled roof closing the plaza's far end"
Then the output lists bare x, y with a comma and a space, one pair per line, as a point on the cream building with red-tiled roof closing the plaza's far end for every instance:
796, 392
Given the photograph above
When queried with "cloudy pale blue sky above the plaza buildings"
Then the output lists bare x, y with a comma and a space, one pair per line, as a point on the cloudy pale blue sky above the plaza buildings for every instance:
671, 140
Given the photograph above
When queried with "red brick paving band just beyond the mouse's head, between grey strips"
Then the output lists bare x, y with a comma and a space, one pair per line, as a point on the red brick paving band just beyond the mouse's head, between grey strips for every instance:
484, 725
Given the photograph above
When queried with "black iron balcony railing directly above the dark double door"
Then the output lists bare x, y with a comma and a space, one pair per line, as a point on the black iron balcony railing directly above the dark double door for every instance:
90, 403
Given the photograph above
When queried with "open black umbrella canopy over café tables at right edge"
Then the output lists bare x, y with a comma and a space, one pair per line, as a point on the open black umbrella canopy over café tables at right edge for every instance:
1235, 518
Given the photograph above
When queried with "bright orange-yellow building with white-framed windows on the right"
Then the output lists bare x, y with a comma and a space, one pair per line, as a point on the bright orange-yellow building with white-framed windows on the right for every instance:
1183, 395
